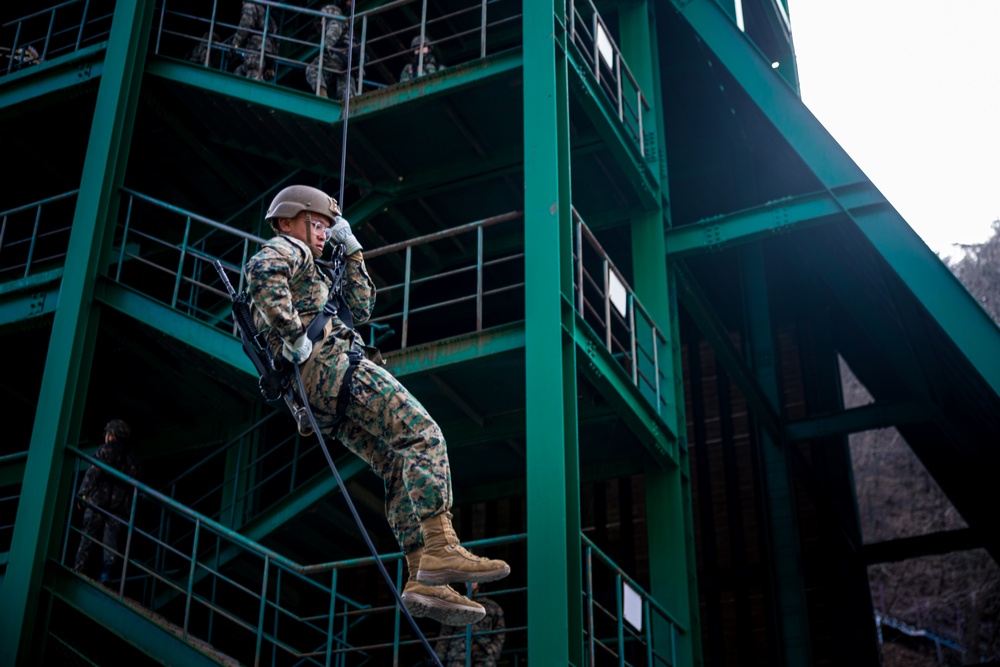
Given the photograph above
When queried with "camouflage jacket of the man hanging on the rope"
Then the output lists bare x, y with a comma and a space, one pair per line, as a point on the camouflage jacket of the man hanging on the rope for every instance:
289, 288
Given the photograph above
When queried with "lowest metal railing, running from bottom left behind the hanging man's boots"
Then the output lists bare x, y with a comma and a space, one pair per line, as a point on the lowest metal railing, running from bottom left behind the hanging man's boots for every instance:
262, 608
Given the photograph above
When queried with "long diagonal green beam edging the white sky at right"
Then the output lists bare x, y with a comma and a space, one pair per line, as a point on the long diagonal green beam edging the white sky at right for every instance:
927, 277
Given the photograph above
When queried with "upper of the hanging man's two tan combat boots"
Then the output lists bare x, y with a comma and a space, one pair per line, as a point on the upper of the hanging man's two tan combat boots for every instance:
446, 561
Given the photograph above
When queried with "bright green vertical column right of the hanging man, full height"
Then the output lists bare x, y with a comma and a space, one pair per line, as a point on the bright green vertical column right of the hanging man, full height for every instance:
555, 617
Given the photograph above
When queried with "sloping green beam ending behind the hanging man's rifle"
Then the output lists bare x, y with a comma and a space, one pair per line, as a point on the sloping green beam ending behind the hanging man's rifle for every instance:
184, 328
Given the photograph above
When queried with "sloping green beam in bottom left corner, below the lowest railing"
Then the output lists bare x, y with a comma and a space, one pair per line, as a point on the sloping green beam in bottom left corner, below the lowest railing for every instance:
160, 641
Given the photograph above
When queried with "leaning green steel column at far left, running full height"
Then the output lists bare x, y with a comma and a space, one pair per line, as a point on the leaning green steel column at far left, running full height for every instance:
67, 364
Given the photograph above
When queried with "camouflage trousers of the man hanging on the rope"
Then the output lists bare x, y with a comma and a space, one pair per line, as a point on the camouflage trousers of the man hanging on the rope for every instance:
389, 429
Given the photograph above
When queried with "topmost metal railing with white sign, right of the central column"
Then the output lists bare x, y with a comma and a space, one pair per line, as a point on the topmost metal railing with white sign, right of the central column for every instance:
604, 60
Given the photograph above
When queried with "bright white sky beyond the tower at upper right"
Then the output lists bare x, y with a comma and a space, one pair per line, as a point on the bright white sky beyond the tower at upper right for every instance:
911, 90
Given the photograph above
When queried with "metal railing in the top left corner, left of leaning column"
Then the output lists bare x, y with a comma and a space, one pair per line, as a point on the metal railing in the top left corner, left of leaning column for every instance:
49, 33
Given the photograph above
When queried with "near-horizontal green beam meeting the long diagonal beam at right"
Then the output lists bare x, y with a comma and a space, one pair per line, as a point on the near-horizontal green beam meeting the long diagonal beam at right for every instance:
772, 219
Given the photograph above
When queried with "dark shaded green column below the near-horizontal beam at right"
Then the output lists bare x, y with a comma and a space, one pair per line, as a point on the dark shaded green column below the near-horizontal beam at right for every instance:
787, 578
